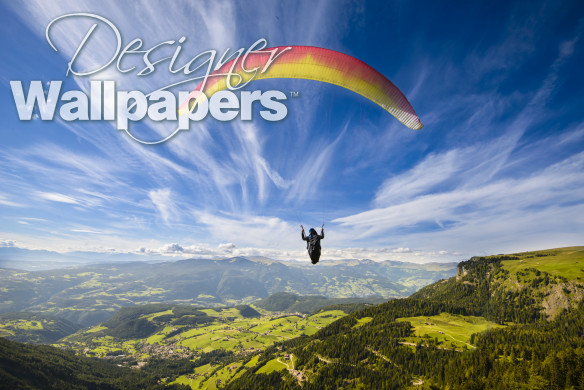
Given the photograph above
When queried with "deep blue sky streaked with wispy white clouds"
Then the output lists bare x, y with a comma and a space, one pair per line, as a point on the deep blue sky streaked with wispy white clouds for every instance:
497, 168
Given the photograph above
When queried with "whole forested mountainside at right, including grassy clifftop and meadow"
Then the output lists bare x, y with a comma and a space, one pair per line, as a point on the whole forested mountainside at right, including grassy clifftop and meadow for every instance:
382, 347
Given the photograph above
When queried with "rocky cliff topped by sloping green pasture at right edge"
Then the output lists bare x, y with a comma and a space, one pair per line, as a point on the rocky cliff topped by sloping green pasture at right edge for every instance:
516, 288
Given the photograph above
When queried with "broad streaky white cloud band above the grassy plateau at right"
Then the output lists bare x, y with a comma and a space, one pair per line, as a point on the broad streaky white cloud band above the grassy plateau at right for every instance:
550, 190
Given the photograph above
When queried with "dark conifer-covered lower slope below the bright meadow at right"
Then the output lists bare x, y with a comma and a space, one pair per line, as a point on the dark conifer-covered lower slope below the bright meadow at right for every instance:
352, 353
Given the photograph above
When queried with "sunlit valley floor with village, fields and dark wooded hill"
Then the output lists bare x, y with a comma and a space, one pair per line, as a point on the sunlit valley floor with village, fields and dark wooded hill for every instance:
140, 333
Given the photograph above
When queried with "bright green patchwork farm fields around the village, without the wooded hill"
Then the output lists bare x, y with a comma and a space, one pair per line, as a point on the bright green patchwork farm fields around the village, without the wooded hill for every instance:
227, 330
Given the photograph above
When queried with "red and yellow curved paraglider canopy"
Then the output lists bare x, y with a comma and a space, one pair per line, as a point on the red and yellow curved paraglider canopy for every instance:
313, 63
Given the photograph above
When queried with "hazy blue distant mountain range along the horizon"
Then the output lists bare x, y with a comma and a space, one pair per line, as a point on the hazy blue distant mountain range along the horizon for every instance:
91, 294
